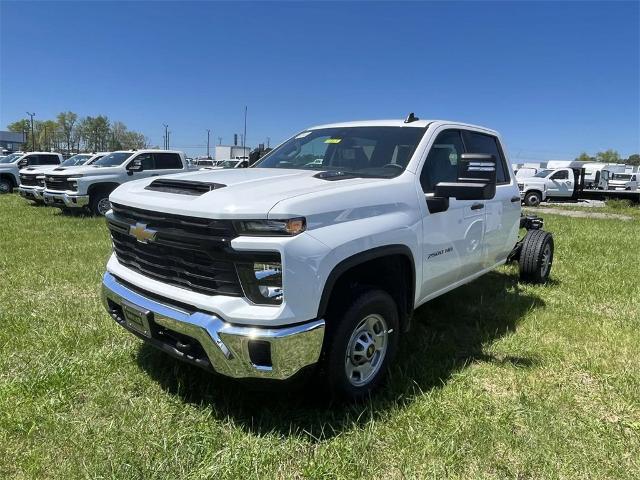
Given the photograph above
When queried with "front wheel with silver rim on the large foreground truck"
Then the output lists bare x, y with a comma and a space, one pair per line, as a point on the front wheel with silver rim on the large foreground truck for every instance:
362, 344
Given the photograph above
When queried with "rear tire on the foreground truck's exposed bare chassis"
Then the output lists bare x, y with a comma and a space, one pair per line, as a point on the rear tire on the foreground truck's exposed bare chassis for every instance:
536, 256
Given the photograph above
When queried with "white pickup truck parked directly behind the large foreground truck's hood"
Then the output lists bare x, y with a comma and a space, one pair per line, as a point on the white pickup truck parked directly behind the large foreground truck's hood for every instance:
90, 186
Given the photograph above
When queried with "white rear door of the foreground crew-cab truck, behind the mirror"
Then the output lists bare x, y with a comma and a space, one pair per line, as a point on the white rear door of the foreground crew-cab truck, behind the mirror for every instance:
503, 210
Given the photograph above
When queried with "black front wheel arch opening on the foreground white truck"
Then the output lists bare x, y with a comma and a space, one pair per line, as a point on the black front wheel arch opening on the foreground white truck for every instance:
352, 267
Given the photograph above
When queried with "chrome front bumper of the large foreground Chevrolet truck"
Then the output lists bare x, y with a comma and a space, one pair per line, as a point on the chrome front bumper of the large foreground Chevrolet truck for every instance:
206, 340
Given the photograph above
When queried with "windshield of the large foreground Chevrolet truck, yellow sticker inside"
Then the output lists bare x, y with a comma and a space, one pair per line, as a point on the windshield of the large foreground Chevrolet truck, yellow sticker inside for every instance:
361, 151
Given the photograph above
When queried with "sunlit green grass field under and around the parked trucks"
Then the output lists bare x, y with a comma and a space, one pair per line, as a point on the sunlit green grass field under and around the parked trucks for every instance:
495, 380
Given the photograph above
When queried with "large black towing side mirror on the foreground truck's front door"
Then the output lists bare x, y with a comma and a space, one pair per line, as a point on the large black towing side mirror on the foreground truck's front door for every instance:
476, 179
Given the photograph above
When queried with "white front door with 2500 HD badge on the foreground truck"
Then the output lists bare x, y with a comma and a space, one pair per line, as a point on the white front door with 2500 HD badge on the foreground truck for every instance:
452, 240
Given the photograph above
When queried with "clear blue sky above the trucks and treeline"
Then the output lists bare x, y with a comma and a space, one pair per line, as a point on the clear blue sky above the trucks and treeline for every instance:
554, 78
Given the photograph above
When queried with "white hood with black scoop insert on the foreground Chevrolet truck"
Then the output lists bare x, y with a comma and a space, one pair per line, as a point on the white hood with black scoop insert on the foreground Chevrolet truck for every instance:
247, 193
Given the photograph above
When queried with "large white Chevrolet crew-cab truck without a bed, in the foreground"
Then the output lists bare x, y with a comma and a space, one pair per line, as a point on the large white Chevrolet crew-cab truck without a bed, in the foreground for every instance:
273, 270
